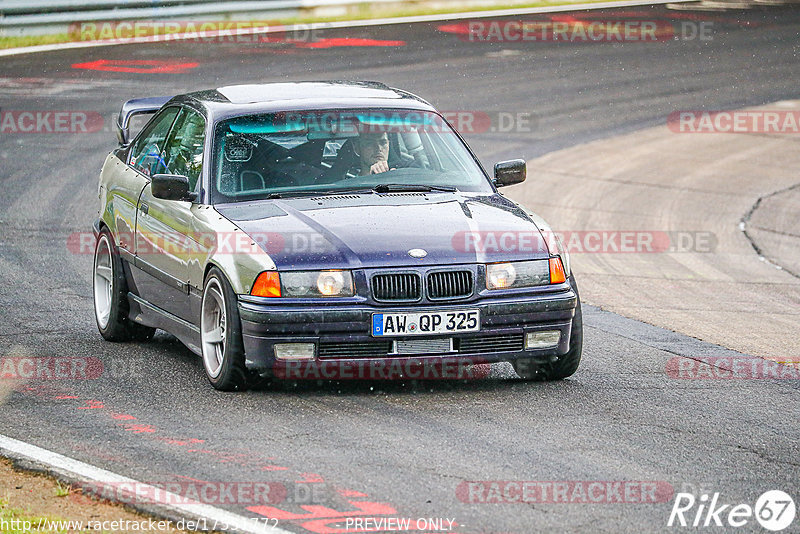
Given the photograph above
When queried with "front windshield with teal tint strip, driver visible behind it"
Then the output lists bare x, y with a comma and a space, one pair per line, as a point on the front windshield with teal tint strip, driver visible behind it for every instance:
321, 152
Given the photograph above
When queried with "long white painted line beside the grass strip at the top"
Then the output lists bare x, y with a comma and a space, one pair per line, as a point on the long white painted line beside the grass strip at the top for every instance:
339, 24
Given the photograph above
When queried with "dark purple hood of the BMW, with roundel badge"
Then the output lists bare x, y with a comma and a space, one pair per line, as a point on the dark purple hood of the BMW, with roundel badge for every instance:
379, 230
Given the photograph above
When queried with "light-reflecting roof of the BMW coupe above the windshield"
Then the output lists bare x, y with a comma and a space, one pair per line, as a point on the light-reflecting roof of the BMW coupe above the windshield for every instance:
234, 100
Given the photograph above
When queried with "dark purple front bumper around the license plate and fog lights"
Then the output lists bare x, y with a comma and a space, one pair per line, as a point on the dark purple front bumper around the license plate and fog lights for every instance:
341, 333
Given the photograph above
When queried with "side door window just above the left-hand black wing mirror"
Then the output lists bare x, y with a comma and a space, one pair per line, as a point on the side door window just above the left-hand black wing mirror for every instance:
184, 148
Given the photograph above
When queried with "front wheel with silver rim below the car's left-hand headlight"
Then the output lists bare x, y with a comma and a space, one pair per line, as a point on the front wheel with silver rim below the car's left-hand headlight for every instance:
221, 335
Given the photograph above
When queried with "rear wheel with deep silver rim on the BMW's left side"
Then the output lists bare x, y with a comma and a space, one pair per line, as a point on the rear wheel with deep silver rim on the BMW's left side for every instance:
110, 294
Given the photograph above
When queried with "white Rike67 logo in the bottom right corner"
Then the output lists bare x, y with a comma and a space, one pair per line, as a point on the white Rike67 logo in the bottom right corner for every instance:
774, 510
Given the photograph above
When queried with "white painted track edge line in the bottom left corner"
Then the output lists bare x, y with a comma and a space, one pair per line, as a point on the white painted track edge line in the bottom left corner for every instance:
57, 463
